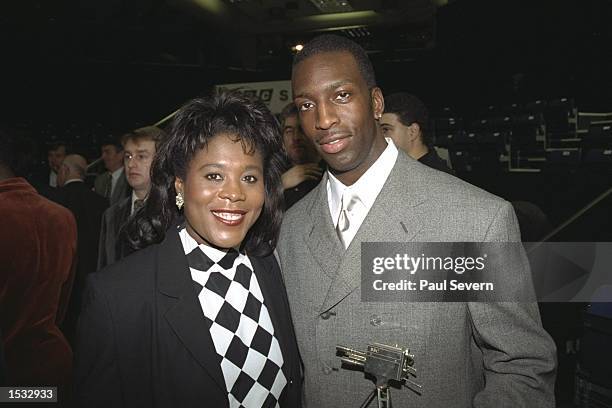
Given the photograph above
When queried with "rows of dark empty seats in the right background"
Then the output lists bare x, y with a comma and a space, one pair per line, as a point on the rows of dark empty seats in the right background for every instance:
529, 137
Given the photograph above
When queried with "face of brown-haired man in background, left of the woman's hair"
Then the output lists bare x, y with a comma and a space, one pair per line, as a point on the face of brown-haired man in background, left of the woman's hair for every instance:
137, 158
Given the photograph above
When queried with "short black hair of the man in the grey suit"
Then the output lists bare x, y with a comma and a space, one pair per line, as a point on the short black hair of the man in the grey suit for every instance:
335, 43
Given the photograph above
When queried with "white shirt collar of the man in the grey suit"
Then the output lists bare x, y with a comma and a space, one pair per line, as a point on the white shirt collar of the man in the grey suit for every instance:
369, 184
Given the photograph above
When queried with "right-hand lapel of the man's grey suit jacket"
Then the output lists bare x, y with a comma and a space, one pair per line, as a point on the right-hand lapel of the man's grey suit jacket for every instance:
396, 216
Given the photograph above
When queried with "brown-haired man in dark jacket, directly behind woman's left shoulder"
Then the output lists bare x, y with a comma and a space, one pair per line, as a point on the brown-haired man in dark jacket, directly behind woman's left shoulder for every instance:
139, 148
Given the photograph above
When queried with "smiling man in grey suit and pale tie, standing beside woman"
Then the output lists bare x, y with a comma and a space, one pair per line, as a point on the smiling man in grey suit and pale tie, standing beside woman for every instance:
467, 354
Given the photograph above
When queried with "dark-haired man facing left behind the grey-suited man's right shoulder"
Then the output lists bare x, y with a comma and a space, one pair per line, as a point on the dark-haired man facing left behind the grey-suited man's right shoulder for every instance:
406, 122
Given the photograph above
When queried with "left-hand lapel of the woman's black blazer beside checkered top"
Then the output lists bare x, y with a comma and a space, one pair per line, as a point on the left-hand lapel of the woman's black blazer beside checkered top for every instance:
184, 313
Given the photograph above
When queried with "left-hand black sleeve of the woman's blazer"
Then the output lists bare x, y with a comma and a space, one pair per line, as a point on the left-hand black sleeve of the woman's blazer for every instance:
97, 380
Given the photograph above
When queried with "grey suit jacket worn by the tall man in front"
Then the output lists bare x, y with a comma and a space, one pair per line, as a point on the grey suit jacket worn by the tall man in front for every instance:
467, 354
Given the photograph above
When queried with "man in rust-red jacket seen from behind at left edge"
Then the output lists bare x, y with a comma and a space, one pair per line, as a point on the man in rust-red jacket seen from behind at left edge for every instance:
38, 246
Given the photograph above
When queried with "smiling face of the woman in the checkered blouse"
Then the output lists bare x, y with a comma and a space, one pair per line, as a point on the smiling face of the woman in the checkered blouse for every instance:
223, 192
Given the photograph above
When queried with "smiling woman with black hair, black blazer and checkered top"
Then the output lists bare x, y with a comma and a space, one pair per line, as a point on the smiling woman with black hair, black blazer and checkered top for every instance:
200, 316
